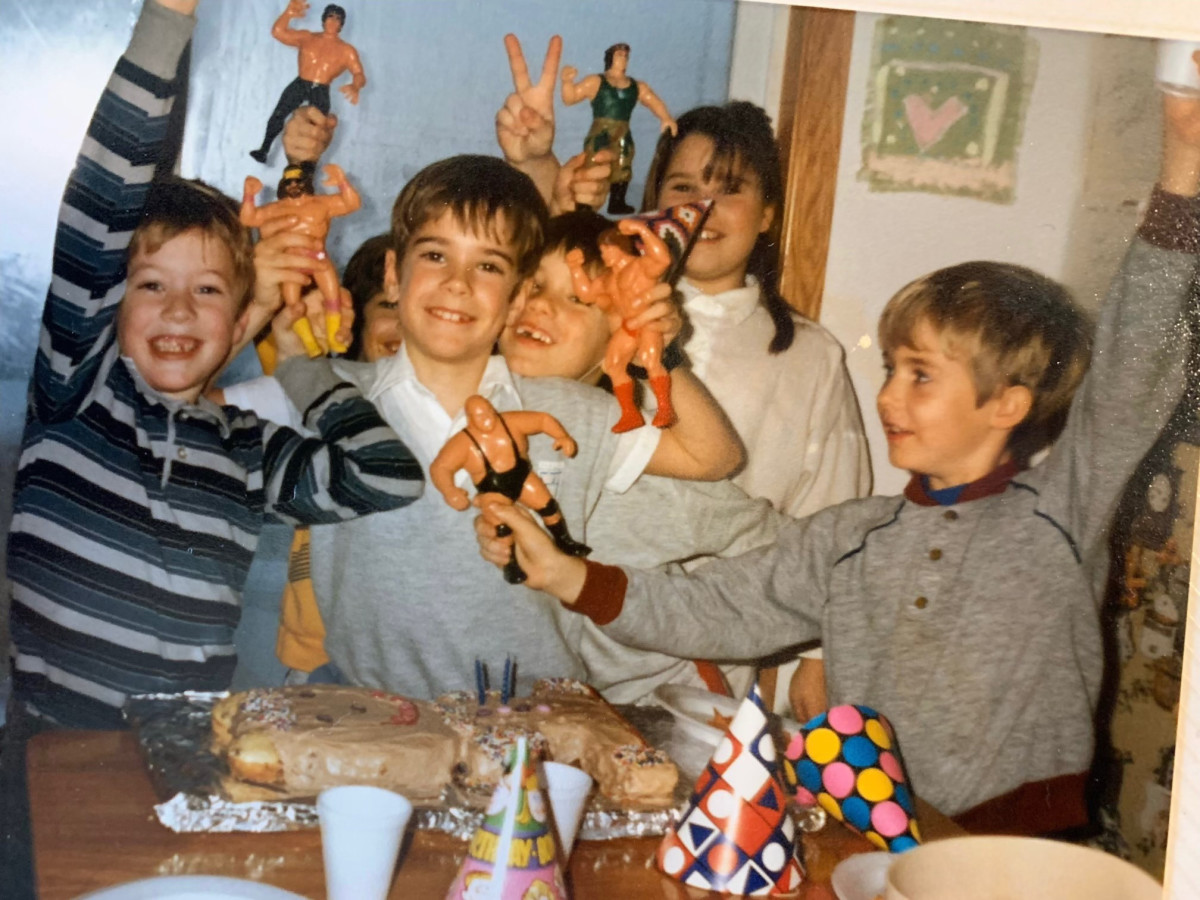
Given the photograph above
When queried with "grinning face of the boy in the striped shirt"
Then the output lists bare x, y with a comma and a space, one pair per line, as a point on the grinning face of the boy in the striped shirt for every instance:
179, 319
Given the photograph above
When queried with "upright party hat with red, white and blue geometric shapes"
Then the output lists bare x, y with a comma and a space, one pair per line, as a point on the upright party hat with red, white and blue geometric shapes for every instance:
736, 836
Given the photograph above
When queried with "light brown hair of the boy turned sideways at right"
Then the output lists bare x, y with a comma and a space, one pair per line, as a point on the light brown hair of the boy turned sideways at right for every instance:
1013, 327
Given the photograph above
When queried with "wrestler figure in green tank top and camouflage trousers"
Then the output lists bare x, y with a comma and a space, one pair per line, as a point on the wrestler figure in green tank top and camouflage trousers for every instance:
614, 97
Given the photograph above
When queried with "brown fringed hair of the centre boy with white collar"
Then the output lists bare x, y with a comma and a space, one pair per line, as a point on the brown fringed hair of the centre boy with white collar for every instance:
479, 191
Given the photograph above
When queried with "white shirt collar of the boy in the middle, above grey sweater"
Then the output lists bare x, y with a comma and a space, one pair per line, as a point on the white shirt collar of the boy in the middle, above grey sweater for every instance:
417, 416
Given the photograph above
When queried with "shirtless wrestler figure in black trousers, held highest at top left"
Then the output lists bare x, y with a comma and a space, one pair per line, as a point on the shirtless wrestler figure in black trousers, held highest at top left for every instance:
323, 57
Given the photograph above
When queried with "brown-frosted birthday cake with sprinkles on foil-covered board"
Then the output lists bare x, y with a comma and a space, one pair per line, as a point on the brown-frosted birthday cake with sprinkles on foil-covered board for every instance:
286, 743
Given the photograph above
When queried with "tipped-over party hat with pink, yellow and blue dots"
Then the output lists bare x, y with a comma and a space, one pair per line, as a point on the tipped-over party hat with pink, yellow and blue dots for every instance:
848, 760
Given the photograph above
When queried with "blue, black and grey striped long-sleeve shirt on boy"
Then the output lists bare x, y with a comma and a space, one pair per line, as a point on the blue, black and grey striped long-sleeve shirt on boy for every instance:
136, 517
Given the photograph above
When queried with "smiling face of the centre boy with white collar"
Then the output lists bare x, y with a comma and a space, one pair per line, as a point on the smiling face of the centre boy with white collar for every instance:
455, 291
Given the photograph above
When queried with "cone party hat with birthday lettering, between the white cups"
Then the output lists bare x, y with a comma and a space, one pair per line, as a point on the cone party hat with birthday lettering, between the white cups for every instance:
513, 854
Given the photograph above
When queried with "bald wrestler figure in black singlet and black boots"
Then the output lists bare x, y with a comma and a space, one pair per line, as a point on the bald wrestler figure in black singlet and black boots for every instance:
495, 452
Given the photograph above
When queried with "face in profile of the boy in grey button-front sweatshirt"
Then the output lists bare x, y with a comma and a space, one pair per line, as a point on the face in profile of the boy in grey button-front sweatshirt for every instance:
932, 417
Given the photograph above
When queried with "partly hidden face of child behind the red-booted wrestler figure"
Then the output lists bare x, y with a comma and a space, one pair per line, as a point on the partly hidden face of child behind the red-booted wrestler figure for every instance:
556, 334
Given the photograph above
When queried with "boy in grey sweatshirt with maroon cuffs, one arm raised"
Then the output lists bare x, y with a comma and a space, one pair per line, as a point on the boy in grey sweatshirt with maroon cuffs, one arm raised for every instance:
965, 610
